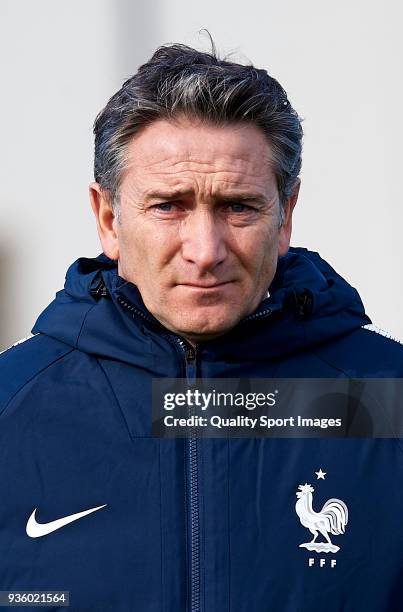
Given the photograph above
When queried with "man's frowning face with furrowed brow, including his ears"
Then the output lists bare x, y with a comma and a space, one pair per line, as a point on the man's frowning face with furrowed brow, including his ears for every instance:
199, 224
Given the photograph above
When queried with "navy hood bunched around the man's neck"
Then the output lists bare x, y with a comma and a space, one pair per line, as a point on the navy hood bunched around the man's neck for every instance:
100, 313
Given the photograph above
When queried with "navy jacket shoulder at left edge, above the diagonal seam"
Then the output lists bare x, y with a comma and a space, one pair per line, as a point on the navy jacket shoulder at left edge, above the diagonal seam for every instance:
25, 360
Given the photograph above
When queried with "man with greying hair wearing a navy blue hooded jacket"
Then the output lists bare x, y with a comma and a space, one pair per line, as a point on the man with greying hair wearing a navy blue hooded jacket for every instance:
196, 178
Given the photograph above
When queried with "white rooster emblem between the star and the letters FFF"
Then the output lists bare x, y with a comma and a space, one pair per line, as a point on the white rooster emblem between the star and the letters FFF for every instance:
332, 519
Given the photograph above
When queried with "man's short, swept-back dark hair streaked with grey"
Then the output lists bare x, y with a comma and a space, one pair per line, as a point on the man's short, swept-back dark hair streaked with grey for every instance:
180, 80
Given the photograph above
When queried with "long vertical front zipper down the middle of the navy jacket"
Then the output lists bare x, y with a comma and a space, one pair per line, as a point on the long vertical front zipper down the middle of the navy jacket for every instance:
193, 483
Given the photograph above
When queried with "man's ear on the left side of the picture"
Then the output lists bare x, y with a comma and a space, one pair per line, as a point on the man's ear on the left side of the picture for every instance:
106, 221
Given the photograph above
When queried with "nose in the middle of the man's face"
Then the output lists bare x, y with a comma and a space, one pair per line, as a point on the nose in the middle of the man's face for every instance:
203, 241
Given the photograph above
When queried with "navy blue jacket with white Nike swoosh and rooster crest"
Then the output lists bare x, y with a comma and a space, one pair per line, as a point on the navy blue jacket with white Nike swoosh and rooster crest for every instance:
182, 524
